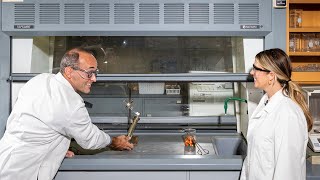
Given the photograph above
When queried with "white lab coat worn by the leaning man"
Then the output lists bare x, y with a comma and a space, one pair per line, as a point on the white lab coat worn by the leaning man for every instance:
47, 114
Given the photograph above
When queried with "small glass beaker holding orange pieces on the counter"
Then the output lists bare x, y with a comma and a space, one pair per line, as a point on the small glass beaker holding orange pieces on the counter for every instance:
189, 139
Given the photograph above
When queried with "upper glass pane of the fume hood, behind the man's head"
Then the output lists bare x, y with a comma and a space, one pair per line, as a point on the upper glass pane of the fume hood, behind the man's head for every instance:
131, 55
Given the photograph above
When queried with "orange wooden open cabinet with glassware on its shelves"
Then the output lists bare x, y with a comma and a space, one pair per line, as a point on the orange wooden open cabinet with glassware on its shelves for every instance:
303, 40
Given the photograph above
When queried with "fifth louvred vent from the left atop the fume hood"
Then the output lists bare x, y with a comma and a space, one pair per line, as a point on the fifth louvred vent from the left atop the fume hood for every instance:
124, 13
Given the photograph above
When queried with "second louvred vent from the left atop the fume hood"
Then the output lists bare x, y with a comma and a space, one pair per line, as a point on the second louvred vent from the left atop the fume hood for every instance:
49, 13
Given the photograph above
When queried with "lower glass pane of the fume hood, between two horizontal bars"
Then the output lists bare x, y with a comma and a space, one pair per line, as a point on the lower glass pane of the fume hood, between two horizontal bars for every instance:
161, 99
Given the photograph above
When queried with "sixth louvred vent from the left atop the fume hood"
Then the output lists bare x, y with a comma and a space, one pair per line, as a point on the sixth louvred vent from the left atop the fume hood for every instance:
149, 13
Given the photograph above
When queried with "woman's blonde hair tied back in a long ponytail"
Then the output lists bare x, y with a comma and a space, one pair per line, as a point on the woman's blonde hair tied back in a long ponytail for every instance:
277, 61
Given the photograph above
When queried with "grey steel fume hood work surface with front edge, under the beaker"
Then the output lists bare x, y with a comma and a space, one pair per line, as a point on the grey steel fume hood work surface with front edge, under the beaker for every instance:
166, 152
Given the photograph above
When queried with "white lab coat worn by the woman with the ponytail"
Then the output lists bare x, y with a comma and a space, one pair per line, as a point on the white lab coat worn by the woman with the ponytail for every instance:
277, 140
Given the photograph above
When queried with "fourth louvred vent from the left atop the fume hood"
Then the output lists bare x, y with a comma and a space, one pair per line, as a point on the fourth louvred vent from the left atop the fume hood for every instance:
99, 13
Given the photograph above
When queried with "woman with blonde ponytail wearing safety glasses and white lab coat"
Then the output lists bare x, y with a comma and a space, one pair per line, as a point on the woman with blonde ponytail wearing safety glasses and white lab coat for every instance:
278, 128
